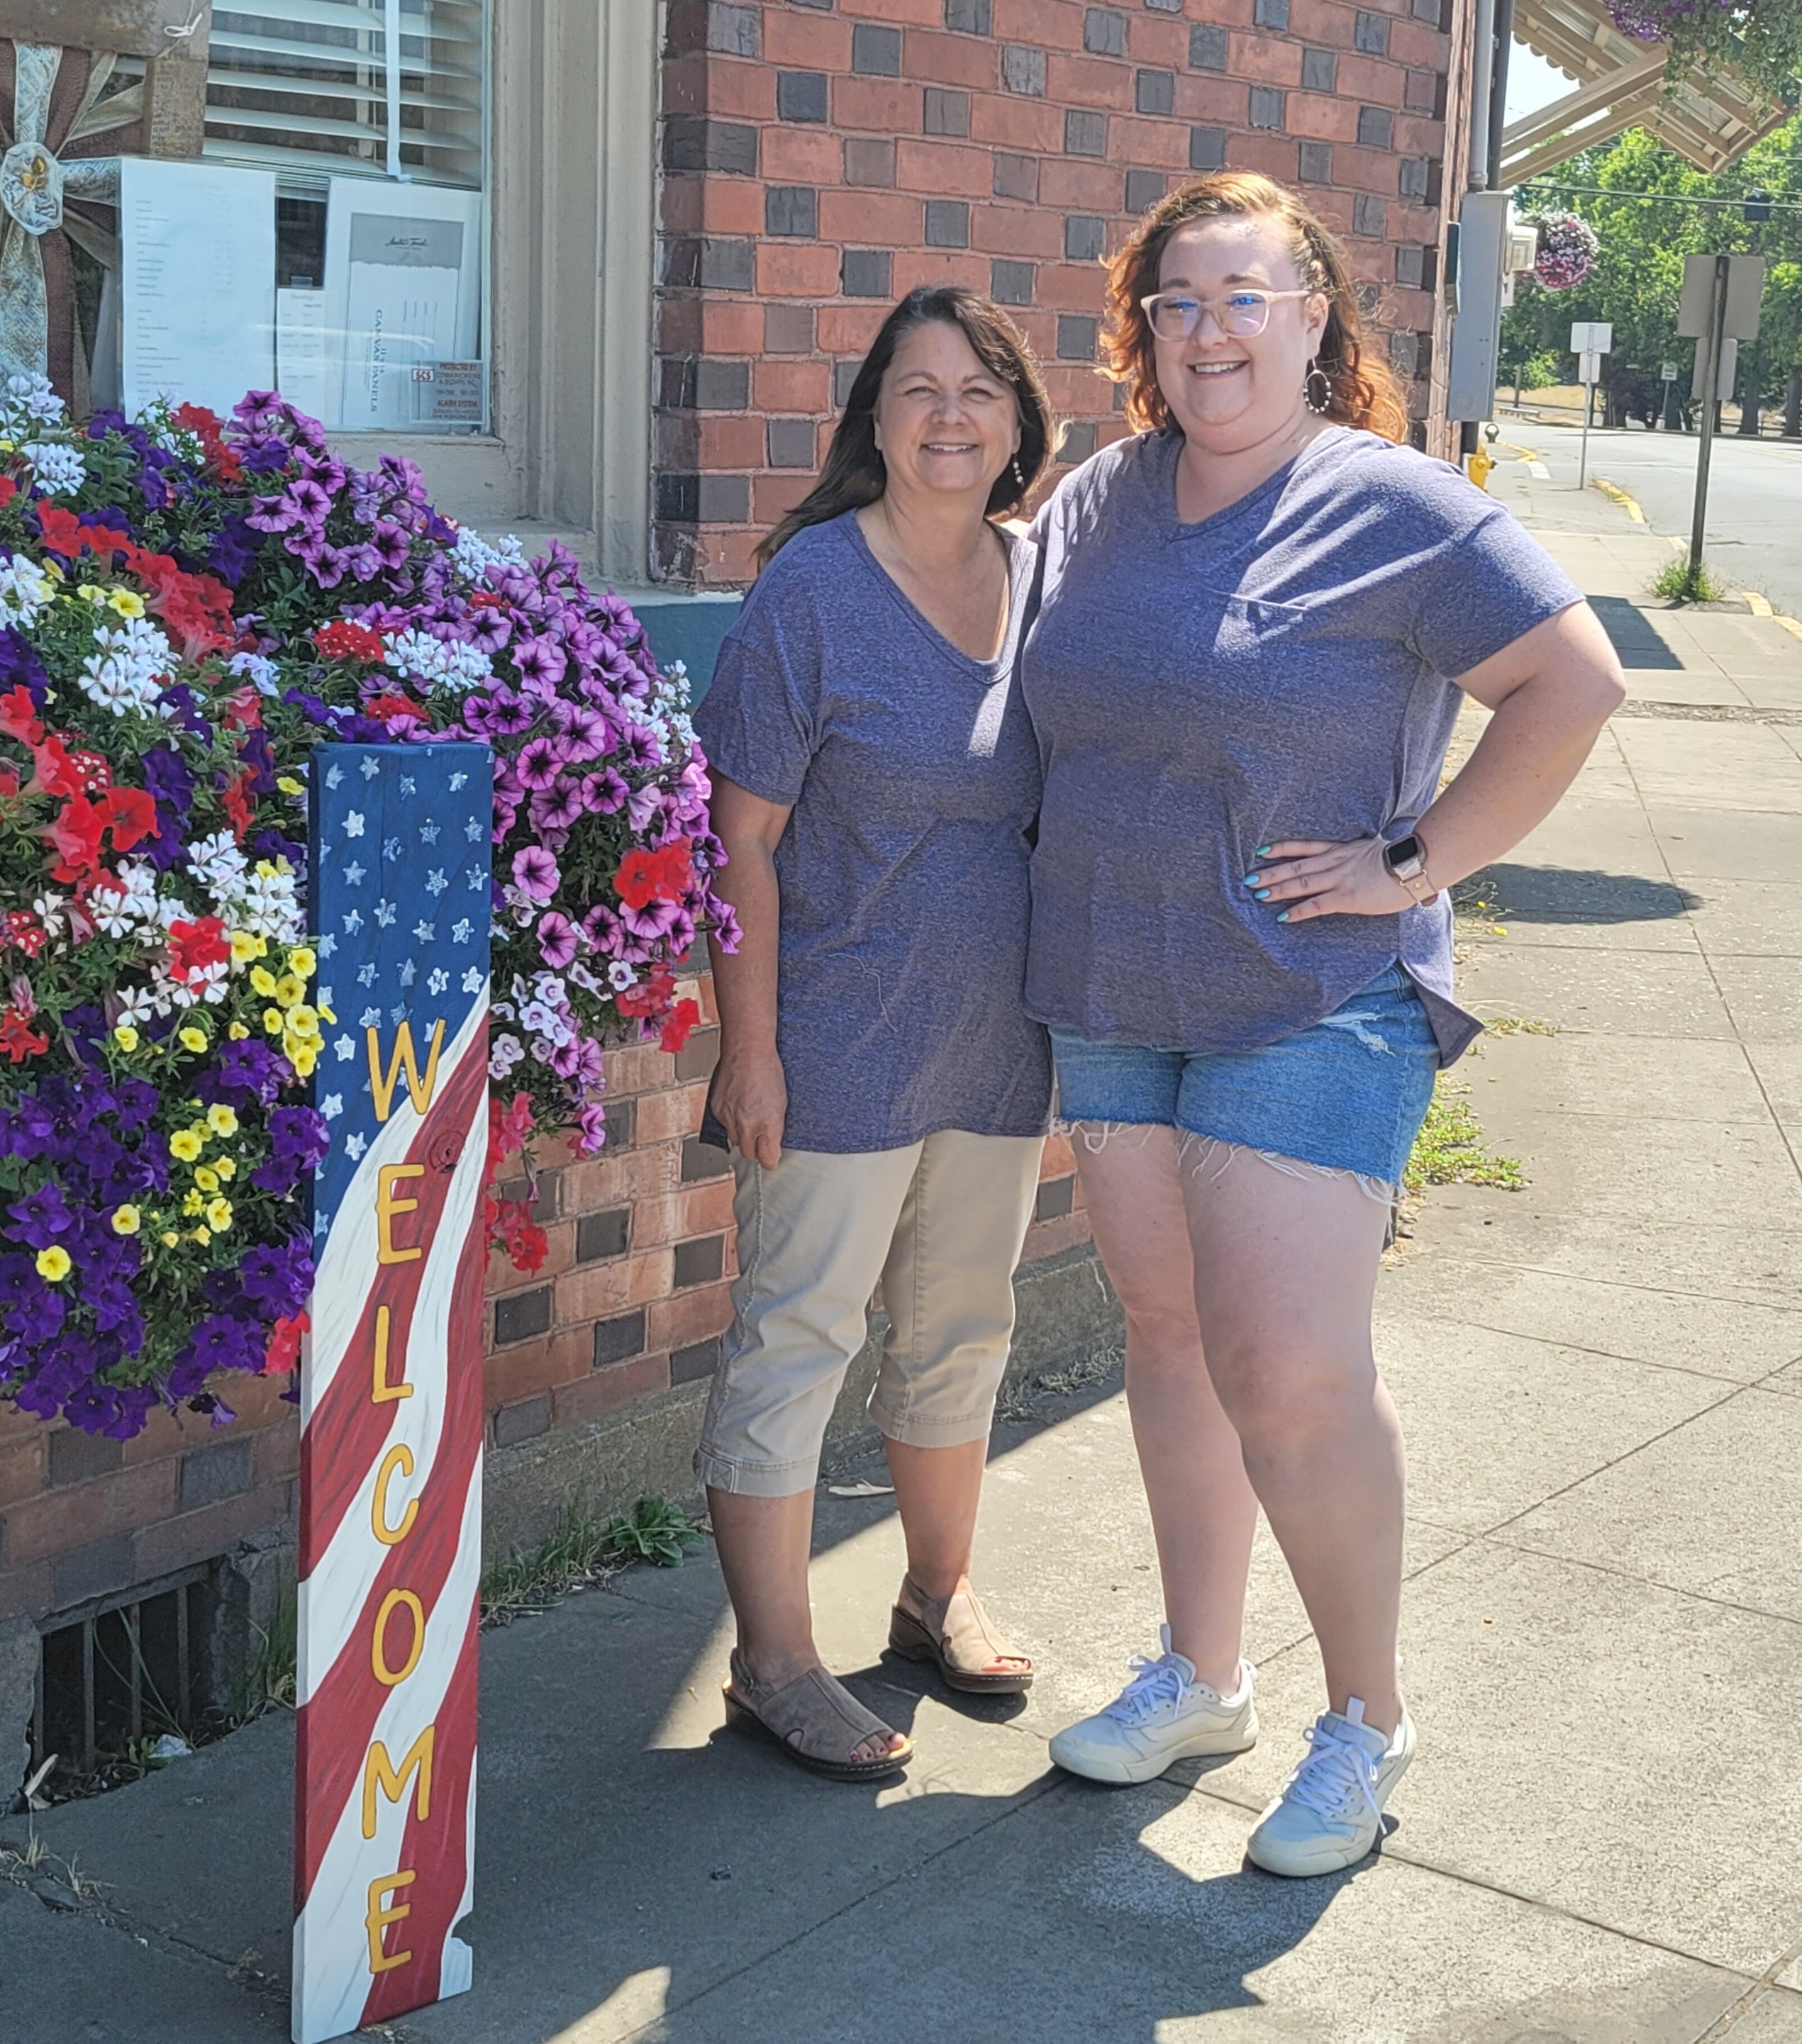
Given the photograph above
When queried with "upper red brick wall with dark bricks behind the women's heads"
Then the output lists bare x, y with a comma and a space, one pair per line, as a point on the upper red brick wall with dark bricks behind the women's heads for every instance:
825, 156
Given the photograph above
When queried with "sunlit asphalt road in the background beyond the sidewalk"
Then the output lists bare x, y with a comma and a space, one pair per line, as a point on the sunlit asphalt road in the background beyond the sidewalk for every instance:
1754, 496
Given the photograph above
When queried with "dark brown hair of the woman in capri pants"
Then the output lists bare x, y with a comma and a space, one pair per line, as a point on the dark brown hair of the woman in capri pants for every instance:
856, 473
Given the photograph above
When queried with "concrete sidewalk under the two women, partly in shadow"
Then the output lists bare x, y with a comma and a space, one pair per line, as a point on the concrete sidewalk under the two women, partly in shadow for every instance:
1603, 1385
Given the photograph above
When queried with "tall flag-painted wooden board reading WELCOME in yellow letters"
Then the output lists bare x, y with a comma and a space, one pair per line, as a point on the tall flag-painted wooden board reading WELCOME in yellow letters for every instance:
392, 1387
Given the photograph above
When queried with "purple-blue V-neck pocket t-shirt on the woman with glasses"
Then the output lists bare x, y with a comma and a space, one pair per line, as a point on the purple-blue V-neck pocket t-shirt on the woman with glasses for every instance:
1286, 669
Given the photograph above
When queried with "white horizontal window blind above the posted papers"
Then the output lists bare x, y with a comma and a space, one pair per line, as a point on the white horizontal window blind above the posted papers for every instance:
308, 87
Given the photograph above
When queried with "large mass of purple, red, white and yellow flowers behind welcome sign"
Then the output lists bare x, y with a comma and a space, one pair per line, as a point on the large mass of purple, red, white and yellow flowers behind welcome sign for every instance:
187, 608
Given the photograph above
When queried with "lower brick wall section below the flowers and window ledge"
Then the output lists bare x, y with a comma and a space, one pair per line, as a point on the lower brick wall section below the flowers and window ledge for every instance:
633, 1299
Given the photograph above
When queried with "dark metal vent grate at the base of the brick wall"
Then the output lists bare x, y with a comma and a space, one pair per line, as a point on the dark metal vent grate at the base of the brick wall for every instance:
120, 1671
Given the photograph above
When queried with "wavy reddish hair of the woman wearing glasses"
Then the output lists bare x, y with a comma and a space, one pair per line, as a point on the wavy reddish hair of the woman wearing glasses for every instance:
1365, 389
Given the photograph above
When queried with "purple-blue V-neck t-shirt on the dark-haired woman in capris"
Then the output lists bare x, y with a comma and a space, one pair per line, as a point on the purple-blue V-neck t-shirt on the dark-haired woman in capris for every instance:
903, 870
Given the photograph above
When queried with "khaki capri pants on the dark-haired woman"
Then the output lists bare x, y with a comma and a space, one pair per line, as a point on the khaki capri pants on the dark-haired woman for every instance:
942, 1225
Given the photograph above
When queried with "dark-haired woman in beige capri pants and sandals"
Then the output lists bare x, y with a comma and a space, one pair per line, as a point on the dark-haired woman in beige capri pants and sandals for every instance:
881, 1082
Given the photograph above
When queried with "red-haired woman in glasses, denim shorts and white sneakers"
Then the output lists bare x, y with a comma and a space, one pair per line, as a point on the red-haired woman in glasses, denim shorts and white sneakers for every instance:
1259, 622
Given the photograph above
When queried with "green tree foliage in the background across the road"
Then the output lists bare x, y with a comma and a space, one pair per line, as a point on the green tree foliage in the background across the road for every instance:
1639, 271
